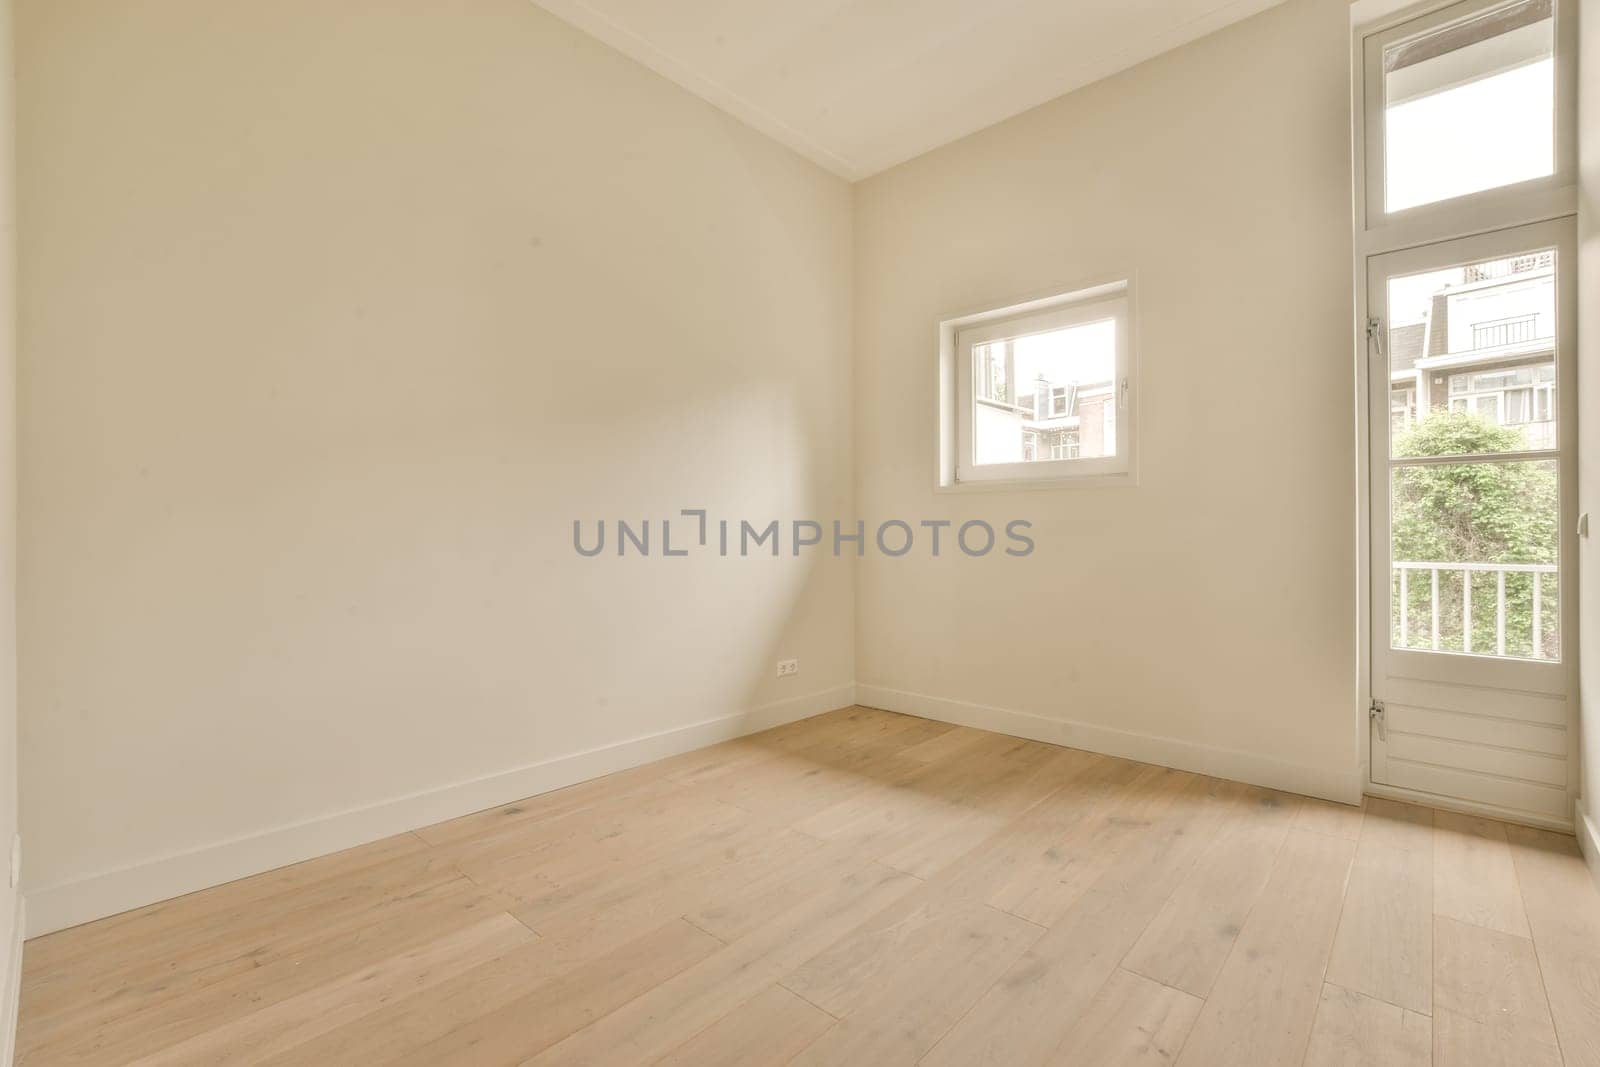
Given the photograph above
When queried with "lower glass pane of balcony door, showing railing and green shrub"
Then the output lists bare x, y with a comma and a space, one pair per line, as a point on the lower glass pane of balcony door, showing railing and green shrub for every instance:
1474, 551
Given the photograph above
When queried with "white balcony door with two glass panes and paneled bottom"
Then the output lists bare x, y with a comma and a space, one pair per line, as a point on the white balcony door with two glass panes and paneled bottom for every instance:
1473, 589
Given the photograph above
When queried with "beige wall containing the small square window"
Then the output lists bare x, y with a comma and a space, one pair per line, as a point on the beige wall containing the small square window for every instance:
1209, 615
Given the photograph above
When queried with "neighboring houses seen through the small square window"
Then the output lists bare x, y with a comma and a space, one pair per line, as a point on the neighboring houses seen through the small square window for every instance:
1046, 422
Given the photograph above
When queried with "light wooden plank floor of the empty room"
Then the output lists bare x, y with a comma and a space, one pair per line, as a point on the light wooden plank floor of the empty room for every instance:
863, 889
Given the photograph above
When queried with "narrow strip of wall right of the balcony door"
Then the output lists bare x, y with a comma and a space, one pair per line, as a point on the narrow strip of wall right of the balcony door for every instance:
1590, 426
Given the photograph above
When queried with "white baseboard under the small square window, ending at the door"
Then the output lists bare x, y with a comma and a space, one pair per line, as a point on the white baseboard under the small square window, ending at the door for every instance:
1185, 756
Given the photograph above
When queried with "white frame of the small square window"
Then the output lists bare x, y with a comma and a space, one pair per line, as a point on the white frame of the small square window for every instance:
959, 335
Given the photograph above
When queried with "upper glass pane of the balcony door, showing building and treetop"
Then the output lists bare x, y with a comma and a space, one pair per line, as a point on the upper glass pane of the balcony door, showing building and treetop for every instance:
1465, 372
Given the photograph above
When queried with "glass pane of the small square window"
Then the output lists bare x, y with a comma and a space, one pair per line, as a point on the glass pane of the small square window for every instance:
1063, 404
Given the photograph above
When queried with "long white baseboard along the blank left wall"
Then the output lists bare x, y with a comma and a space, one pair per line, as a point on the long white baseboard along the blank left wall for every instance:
97, 897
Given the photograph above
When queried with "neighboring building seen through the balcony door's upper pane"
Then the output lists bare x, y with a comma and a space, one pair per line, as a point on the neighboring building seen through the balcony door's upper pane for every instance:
1486, 345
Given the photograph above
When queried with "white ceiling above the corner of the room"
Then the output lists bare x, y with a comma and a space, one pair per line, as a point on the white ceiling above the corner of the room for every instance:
860, 86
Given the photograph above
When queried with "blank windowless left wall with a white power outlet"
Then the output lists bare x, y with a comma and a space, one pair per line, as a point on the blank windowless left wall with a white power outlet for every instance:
335, 318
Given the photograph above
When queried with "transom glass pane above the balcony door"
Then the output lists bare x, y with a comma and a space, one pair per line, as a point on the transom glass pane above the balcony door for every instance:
1471, 106
